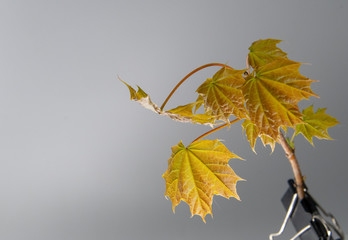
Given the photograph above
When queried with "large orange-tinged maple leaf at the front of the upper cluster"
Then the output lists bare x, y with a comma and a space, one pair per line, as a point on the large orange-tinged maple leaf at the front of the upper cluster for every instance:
272, 92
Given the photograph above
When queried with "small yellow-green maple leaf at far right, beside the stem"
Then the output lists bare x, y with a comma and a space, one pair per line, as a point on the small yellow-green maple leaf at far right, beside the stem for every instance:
315, 124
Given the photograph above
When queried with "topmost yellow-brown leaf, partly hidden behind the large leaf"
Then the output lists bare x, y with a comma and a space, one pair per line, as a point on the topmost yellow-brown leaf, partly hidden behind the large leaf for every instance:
264, 51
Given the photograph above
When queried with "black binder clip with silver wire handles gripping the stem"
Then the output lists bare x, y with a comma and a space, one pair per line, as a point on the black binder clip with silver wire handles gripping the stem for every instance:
308, 217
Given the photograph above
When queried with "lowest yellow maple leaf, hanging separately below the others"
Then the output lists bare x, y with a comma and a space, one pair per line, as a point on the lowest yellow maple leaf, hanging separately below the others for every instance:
198, 172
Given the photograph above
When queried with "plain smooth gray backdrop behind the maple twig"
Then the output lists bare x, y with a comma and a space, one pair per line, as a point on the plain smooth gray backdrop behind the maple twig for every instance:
78, 160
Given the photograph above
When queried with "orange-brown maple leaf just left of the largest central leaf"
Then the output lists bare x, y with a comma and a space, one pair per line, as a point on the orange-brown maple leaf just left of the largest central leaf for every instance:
222, 94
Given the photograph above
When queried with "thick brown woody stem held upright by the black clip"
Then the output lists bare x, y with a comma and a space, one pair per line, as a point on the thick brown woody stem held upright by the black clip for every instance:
290, 154
